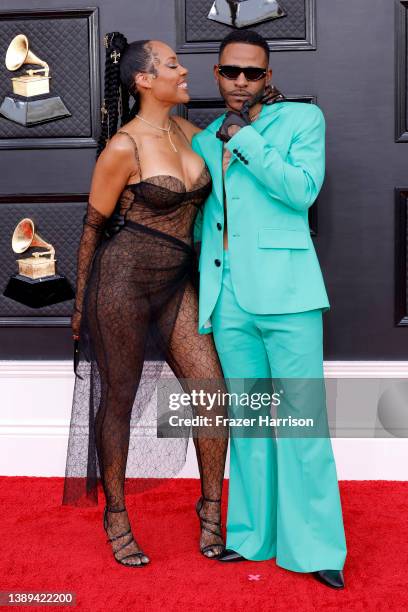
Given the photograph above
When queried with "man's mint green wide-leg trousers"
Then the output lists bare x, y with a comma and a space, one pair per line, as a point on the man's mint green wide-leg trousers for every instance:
284, 500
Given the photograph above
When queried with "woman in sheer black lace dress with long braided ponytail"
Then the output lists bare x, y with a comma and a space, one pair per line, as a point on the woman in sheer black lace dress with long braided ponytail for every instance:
136, 296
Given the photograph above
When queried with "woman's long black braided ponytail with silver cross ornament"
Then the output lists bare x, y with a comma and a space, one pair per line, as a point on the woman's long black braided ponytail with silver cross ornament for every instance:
122, 61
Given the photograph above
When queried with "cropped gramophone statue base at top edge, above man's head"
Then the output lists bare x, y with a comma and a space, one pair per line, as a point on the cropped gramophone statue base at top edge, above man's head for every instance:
242, 13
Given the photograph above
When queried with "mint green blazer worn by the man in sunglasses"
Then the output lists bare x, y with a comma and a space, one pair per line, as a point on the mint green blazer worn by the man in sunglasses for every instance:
275, 173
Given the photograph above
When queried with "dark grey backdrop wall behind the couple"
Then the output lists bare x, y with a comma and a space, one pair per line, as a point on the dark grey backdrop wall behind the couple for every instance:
362, 221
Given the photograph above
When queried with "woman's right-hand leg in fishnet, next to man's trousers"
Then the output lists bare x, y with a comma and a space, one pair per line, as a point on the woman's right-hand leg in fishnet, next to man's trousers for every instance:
194, 359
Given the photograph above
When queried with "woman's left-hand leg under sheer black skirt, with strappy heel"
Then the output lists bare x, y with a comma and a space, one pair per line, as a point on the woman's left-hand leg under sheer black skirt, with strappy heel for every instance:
118, 322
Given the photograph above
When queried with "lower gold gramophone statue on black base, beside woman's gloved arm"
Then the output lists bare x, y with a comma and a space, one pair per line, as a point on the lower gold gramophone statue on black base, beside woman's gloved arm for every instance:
37, 283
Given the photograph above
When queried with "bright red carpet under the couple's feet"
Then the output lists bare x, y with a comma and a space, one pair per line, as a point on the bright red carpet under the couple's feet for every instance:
47, 547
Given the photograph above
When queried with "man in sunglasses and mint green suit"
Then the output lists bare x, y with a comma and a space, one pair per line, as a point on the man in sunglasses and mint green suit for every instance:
262, 296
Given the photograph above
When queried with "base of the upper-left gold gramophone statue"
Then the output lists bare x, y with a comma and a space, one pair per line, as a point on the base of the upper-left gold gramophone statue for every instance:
33, 111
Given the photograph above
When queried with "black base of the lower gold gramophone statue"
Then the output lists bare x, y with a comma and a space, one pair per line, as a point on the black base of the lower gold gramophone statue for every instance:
39, 292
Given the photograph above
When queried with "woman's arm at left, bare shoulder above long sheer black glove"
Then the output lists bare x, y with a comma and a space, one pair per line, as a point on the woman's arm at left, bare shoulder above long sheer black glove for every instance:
112, 170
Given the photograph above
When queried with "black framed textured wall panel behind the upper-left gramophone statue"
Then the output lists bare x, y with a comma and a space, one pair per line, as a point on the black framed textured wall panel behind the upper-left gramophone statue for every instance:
68, 42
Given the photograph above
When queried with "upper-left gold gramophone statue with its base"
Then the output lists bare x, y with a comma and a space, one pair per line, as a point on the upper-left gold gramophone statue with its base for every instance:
31, 102
